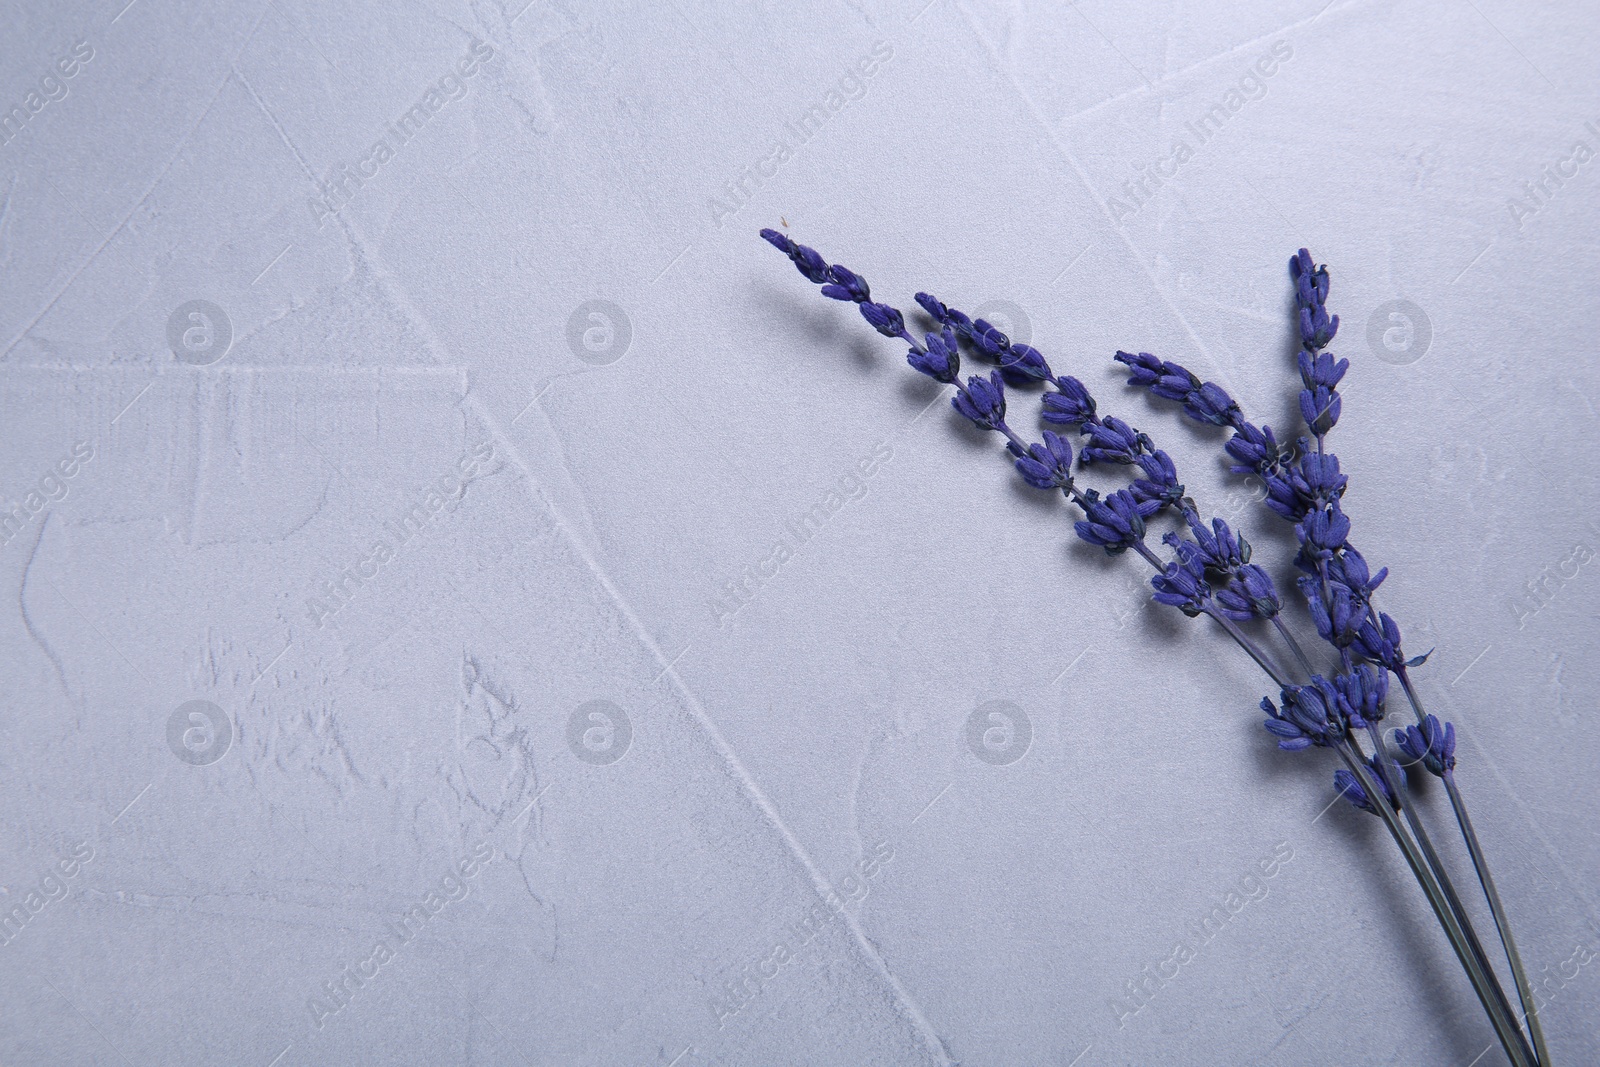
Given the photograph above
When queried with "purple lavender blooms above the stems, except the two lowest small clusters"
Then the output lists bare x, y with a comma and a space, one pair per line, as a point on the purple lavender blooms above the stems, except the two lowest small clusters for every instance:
1210, 570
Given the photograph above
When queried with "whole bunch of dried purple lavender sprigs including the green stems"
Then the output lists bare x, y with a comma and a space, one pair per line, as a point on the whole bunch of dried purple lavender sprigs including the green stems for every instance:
1209, 572
